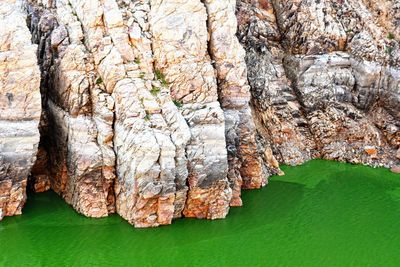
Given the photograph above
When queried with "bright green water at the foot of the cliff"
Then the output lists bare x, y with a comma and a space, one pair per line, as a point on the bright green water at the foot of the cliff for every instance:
319, 214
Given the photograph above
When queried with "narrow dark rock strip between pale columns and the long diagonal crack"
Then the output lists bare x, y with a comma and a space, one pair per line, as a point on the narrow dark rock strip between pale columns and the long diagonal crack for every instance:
278, 111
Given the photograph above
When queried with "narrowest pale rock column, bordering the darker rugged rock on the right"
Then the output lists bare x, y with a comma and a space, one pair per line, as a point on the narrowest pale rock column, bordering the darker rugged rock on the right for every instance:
245, 168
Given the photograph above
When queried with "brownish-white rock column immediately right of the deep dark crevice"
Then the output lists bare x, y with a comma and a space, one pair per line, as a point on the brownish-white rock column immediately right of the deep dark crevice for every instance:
77, 124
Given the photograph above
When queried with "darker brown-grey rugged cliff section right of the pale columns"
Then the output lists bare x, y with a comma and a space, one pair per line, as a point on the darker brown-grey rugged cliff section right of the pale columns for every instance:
325, 78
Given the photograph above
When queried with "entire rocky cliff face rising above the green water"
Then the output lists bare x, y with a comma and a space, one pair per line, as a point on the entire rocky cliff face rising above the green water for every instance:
162, 109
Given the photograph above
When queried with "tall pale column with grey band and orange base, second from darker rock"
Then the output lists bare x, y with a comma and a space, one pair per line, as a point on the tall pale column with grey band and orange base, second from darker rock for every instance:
179, 37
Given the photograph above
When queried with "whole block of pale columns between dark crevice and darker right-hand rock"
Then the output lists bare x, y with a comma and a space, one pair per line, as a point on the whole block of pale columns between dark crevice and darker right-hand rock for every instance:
145, 108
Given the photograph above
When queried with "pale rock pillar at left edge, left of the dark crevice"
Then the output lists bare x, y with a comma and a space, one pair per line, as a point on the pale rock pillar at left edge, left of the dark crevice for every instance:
19, 107
